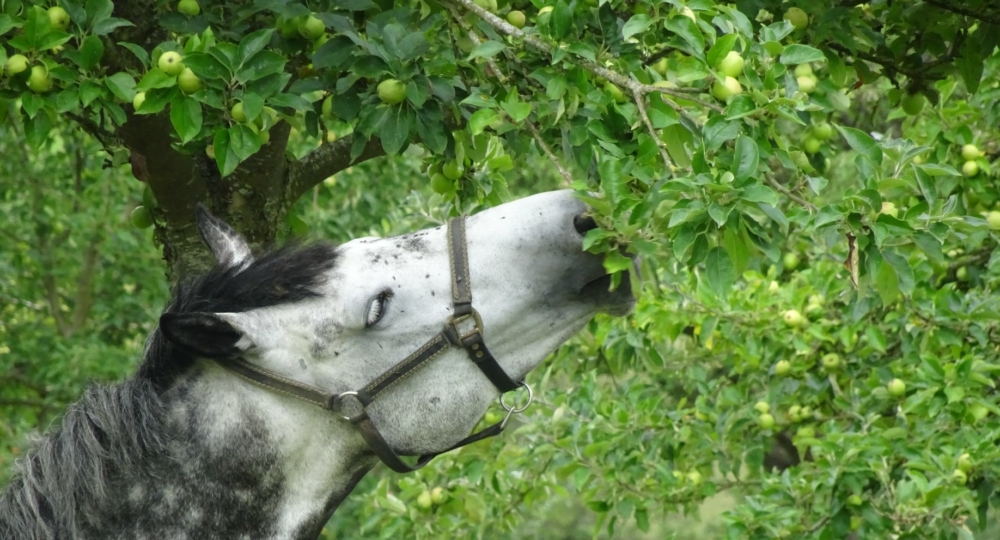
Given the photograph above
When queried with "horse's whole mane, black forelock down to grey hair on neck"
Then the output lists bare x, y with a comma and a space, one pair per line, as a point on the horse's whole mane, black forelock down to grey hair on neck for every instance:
62, 482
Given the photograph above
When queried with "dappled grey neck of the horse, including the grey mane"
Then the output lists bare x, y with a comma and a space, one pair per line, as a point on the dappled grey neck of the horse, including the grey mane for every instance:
214, 458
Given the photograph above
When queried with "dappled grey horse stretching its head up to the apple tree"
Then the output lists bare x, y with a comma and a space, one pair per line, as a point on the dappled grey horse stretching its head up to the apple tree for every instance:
274, 382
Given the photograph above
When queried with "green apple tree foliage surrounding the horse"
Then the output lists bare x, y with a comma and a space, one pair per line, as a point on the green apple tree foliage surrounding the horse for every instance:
822, 207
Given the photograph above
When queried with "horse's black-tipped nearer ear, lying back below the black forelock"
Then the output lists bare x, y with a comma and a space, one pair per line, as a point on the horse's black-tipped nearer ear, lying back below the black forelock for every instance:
206, 335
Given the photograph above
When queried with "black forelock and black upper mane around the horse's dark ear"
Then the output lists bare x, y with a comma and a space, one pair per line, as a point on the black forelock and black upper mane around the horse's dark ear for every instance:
288, 274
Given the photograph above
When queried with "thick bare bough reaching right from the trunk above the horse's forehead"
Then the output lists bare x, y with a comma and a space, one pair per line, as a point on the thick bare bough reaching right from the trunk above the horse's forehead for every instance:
325, 161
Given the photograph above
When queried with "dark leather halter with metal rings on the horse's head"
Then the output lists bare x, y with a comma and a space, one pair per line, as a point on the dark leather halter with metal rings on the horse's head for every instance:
456, 333
